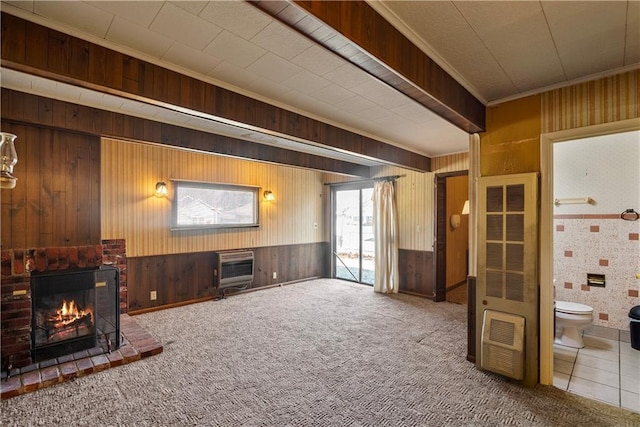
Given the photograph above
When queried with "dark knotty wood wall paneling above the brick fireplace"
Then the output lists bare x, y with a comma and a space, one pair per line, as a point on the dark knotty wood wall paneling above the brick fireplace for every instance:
56, 201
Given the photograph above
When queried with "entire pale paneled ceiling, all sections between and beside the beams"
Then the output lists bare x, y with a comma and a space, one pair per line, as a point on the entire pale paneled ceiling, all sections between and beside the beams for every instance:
497, 50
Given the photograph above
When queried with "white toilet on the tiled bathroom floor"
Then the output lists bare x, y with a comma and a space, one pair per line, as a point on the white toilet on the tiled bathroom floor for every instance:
571, 319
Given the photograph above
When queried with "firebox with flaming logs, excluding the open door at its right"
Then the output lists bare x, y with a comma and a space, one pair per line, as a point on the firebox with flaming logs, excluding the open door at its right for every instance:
63, 319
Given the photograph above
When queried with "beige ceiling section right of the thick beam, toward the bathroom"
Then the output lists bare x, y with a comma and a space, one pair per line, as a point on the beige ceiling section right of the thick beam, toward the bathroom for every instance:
505, 49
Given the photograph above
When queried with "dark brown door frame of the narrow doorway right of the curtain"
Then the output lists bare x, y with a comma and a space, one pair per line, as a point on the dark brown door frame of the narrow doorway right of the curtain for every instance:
440, 242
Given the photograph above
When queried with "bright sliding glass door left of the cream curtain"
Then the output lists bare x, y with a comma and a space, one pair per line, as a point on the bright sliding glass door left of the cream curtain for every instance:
352, 236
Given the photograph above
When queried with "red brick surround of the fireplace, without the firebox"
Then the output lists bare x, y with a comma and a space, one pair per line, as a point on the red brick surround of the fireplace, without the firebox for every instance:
19, 265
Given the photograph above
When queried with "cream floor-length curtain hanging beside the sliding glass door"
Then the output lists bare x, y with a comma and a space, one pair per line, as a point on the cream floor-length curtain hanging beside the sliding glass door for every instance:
385, 233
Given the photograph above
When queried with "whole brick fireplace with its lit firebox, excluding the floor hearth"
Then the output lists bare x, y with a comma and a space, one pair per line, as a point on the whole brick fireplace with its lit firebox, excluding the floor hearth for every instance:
35, 321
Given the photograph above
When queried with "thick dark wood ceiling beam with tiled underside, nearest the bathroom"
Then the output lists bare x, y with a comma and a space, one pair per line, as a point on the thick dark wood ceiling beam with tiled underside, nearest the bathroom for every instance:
357, 33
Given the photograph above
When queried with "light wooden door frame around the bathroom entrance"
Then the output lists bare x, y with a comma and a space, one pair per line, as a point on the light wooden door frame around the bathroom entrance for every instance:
546, 229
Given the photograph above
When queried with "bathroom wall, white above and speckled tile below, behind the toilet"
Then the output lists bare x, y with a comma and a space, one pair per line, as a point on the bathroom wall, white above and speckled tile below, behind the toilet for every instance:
591, 238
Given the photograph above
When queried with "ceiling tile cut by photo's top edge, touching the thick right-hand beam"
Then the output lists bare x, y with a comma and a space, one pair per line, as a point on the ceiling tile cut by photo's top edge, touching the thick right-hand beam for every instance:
239, 18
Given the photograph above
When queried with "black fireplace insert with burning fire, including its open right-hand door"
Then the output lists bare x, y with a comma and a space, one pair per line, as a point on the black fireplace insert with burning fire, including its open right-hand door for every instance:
74, 311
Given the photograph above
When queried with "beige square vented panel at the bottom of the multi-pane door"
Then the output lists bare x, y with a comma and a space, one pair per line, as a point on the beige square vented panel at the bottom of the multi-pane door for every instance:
502, 349
